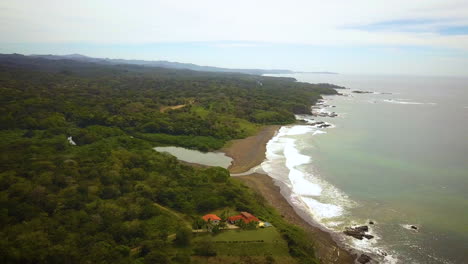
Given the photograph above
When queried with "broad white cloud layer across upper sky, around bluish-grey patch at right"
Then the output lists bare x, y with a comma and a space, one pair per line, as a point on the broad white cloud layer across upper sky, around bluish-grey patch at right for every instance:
305, 22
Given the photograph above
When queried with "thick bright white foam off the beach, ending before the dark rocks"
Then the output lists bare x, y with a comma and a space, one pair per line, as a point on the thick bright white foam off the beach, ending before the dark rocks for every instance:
306, 188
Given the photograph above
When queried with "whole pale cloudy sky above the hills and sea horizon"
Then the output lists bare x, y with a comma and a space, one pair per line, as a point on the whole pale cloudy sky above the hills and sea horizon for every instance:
416, 37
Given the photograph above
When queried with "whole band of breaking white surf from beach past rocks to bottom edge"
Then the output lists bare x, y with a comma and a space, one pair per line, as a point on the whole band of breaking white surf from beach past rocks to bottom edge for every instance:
316, 198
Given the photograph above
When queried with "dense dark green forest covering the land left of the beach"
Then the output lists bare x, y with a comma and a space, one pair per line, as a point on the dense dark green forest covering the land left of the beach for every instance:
110, 198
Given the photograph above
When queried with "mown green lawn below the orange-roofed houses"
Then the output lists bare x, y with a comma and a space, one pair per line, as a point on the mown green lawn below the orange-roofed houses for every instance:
259, 242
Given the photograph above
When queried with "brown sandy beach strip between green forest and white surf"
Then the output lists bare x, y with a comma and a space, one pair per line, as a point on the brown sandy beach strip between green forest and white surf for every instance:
250, 152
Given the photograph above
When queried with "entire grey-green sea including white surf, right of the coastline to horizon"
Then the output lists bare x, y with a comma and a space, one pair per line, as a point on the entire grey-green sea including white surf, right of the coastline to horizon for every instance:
397, 156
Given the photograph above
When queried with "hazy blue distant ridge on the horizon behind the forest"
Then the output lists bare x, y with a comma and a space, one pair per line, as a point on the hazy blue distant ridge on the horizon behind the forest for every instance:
161, 64
